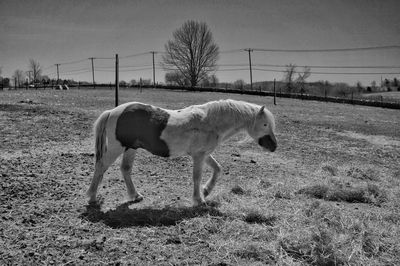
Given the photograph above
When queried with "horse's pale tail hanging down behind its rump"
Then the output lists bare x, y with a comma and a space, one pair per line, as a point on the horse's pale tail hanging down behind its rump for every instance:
100, 135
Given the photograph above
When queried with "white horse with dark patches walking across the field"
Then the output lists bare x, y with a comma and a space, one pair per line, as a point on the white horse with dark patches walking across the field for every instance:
194, 131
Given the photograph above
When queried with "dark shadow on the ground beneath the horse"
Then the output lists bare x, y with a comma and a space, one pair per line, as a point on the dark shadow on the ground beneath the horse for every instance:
123, 216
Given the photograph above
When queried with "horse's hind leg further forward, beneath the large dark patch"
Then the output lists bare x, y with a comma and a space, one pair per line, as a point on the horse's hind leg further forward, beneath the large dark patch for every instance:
126, 169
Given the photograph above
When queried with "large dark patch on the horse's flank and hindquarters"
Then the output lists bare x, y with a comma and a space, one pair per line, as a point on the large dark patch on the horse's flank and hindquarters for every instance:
140, 126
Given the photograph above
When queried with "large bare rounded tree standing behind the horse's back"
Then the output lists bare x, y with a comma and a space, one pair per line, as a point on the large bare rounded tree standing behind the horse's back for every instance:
192, 52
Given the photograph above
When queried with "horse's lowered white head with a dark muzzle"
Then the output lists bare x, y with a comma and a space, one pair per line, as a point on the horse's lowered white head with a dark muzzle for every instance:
263, 129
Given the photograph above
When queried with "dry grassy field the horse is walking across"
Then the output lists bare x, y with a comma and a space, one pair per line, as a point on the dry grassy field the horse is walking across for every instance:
329, 195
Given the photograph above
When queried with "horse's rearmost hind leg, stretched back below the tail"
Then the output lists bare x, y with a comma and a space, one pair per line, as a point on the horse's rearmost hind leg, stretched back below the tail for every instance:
101, 166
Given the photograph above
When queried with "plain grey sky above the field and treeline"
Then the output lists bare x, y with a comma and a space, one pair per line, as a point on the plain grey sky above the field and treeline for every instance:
69, 32
